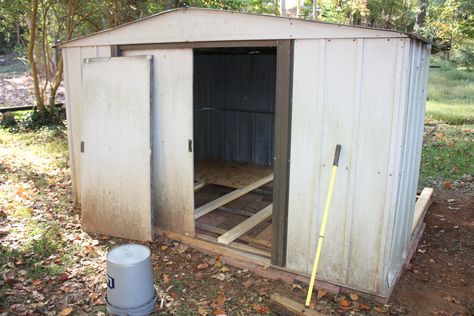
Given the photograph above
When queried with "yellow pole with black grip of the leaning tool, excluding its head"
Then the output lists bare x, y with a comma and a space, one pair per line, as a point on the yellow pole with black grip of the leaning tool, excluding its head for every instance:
322, 229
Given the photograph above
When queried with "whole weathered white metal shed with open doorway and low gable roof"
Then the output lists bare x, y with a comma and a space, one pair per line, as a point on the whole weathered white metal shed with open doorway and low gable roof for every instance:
157, 105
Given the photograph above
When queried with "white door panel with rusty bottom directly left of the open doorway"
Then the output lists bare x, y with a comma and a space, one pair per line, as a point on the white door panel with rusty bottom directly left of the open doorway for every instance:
172, 123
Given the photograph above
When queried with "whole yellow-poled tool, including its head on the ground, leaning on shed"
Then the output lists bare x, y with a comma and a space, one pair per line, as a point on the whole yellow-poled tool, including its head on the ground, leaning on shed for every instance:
291, 305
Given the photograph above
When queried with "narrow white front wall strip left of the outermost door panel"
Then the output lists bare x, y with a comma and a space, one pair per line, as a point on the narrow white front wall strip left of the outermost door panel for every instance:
73, 61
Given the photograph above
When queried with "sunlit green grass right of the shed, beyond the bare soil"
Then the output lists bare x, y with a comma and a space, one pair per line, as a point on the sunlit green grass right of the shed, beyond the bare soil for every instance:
448, 153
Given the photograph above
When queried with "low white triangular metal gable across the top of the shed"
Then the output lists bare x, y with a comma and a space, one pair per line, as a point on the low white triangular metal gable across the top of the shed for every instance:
202, 25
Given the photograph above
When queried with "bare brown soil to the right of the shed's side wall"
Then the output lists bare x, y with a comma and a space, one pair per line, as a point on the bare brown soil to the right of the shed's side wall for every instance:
440, 278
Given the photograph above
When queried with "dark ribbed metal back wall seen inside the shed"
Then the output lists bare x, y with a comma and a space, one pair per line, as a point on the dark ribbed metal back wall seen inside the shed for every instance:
234, 105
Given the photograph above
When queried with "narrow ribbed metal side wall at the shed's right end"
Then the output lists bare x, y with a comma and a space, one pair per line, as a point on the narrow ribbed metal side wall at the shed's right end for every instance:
413, 126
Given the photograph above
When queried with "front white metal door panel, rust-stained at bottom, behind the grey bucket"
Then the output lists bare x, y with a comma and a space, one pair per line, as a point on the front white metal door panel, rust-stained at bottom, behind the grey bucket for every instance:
116, 153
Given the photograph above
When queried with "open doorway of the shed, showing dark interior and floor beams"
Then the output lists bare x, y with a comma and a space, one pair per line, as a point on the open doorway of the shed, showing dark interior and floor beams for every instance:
234, 133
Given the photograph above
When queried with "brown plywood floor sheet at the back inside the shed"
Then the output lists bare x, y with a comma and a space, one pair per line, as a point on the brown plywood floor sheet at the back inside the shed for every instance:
228, 173
